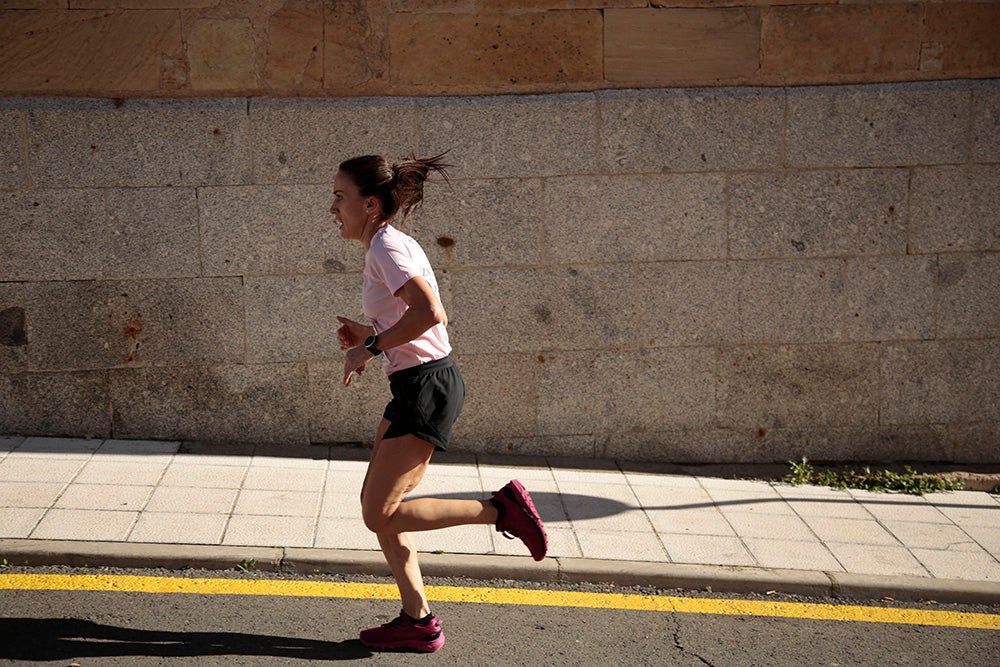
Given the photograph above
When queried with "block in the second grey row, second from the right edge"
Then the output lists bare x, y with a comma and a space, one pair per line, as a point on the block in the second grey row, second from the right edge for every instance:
818, 213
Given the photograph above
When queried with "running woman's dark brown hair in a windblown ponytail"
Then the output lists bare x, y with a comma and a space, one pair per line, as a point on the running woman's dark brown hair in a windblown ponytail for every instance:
398, 186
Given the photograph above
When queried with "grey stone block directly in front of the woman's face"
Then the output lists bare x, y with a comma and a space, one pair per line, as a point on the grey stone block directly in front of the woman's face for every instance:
252, 230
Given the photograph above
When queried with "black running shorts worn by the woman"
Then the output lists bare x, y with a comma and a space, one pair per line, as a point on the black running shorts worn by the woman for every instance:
426, 400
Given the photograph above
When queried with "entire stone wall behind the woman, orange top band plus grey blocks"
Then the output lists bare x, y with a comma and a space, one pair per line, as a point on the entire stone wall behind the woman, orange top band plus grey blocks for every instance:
658, 244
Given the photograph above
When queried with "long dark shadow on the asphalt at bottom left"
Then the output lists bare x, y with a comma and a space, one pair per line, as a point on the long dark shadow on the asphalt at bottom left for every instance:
40, 639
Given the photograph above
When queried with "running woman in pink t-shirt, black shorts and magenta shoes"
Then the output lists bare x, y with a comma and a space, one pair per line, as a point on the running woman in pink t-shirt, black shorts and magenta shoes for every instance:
408, 335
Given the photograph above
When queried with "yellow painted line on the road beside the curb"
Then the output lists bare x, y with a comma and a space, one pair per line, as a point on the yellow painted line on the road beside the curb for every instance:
513, 596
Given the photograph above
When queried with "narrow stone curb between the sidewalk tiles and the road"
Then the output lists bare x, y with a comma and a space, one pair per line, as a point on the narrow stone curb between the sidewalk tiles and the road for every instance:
716, 578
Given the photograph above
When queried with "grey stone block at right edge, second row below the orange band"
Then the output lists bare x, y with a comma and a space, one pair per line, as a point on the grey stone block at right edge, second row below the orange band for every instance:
955, 209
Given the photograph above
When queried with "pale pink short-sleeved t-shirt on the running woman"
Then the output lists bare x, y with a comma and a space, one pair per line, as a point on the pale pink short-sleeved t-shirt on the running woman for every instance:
392, 260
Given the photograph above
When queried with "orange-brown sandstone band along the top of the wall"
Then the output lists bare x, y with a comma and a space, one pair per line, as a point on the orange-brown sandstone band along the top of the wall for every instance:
351, 48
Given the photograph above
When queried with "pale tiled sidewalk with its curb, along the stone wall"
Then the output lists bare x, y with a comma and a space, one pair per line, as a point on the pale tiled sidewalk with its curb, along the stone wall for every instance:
172, 504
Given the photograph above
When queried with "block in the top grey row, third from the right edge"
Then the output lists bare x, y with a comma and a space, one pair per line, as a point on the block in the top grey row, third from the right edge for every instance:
686, 130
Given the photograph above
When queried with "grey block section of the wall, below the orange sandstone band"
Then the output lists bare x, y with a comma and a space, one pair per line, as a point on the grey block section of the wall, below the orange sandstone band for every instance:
690, 274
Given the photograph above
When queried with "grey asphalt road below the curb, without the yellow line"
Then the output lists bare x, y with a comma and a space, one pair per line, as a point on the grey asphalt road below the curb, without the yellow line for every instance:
91, 628
